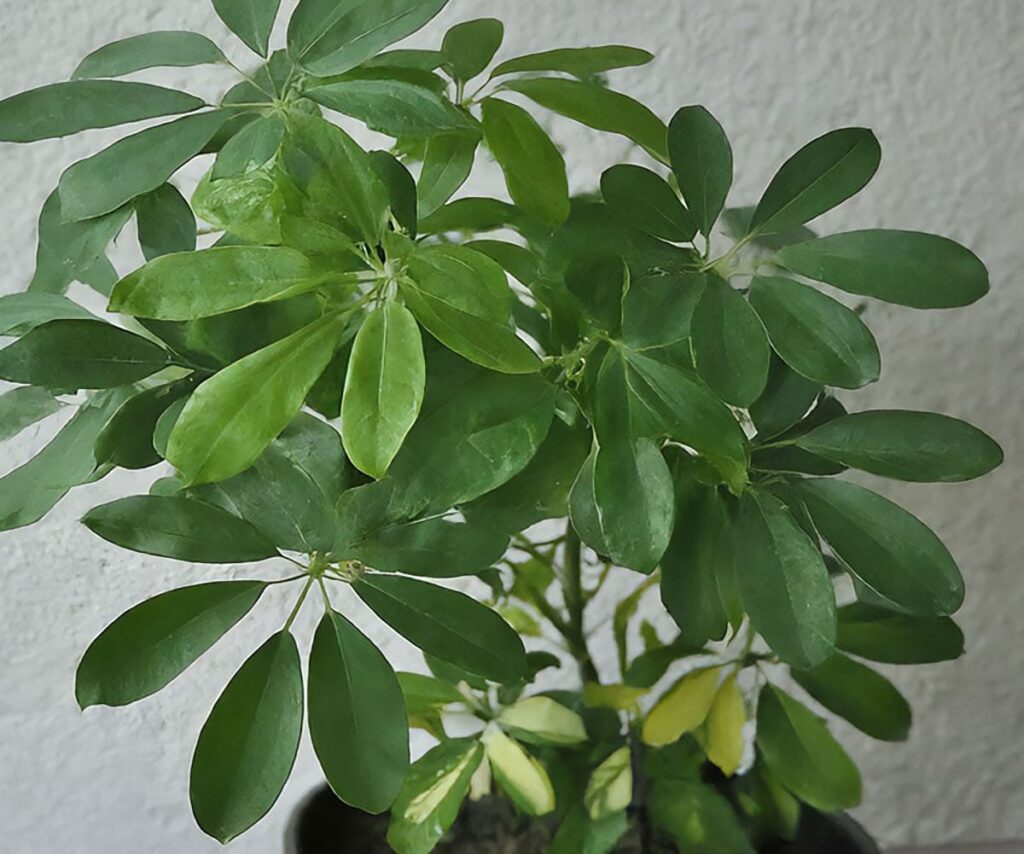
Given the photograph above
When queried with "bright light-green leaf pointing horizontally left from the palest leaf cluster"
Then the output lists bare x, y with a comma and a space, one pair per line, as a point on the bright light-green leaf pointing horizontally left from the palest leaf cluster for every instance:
192, 285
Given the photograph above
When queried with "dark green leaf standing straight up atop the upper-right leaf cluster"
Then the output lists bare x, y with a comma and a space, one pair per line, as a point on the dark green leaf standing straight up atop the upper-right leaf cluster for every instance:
702, 162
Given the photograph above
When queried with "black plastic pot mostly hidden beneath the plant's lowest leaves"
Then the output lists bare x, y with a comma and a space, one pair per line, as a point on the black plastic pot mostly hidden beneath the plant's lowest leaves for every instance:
322, 825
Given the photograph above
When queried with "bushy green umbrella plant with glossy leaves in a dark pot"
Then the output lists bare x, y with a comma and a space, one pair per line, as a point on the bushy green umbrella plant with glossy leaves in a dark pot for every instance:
379, 391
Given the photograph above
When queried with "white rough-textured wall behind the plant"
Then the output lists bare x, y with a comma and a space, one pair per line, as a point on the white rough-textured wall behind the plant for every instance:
941, 81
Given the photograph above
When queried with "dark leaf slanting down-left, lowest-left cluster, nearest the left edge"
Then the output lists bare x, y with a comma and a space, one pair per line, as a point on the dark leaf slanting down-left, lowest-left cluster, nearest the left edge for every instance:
152, 645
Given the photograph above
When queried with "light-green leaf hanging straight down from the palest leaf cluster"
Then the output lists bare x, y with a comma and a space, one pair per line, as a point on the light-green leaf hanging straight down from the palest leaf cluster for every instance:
383, 389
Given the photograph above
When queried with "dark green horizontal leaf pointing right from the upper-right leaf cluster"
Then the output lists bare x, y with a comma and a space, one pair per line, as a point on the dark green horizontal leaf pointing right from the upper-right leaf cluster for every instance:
903, 268
